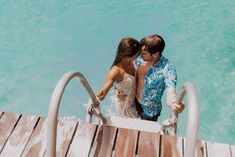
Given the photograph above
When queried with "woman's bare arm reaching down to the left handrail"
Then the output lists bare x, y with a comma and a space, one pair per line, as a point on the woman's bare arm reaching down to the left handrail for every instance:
112, 76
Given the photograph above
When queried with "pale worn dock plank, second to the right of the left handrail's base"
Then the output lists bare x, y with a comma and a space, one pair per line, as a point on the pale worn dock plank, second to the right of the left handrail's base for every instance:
82, 140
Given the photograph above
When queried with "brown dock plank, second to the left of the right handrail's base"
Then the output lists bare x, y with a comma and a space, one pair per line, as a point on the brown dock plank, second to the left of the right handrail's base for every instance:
148, 142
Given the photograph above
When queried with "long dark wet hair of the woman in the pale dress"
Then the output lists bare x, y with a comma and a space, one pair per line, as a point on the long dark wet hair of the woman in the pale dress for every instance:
128, 47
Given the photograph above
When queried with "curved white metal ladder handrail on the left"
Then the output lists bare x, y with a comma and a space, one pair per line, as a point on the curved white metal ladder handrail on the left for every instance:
54, 107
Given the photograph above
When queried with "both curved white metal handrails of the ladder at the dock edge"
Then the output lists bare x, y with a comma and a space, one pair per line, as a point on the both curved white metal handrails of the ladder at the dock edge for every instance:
192, 123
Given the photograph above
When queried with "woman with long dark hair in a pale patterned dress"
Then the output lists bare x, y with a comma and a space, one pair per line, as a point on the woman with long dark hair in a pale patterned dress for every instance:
122, 73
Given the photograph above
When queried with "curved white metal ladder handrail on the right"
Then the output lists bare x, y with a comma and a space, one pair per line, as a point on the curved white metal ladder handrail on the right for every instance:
192, 121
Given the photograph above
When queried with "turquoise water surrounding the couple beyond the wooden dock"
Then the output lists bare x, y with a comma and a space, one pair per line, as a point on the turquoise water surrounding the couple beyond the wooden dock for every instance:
42, 40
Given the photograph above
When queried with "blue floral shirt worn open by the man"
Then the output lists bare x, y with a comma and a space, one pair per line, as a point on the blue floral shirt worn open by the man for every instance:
159, 77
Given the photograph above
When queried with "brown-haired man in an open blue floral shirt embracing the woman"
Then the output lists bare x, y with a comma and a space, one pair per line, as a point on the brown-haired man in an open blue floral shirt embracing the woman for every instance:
155, 73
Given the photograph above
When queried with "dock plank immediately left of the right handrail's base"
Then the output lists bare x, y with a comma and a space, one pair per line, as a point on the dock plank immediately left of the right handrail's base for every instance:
171, 146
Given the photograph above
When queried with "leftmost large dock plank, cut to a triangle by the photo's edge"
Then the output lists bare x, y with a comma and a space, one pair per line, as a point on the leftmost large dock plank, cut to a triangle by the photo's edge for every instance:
7, 124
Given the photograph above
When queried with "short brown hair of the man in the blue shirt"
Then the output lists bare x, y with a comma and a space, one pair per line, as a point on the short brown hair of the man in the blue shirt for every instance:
154, 43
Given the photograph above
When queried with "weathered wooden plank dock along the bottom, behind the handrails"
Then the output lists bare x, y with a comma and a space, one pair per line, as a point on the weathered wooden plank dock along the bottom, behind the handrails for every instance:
24, 135
